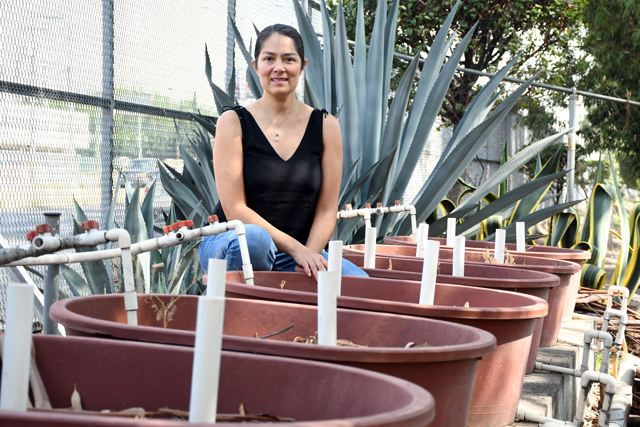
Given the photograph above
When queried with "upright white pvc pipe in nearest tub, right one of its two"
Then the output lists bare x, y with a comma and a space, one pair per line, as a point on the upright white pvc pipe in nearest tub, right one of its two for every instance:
206, 360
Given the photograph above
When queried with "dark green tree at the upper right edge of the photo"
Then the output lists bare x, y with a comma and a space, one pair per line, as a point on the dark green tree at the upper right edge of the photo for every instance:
613, 40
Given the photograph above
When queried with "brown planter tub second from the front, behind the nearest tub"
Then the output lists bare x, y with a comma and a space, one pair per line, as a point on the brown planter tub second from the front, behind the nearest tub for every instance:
447, 368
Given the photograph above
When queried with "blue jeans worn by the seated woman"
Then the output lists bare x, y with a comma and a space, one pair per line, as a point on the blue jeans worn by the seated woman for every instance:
263, 253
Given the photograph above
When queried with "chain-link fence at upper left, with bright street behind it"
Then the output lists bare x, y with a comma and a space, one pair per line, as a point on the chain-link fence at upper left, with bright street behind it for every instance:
88, 89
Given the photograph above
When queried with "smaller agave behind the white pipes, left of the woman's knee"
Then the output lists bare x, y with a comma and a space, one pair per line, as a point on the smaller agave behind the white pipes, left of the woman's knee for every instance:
169, 270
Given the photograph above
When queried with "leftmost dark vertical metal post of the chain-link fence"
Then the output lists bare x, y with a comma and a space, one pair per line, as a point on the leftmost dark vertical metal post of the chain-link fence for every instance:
106, 150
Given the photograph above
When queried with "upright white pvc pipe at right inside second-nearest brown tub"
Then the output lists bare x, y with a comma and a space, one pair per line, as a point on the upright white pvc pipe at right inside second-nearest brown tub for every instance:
327, 308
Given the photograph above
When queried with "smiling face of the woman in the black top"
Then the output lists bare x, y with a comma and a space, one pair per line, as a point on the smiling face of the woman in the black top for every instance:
279, 65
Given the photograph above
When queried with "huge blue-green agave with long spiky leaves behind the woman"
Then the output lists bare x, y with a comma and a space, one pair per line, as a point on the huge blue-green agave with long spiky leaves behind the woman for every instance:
382, 142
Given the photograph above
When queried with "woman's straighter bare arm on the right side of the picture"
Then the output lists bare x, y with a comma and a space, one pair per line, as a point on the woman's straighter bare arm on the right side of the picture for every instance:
324, 220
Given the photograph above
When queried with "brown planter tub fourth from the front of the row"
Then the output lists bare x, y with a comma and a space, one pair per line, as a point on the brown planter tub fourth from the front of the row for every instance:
533, 283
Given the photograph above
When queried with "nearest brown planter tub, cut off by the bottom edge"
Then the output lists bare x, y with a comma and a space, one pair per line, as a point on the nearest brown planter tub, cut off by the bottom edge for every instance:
116, 375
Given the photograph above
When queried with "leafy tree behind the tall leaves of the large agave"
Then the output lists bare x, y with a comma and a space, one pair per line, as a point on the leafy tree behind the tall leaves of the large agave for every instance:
541, 31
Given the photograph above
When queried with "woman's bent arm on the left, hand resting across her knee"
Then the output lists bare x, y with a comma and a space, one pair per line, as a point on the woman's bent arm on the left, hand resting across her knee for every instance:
228, 166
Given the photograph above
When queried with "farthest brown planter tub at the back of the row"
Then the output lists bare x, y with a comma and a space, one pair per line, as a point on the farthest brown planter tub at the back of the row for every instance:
565, 254
